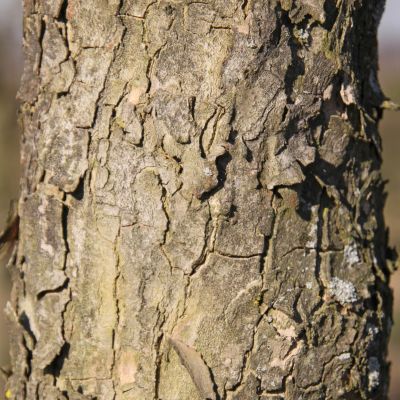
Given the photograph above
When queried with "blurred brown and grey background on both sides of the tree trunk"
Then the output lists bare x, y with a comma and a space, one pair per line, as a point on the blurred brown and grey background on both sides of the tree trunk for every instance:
10, 70
